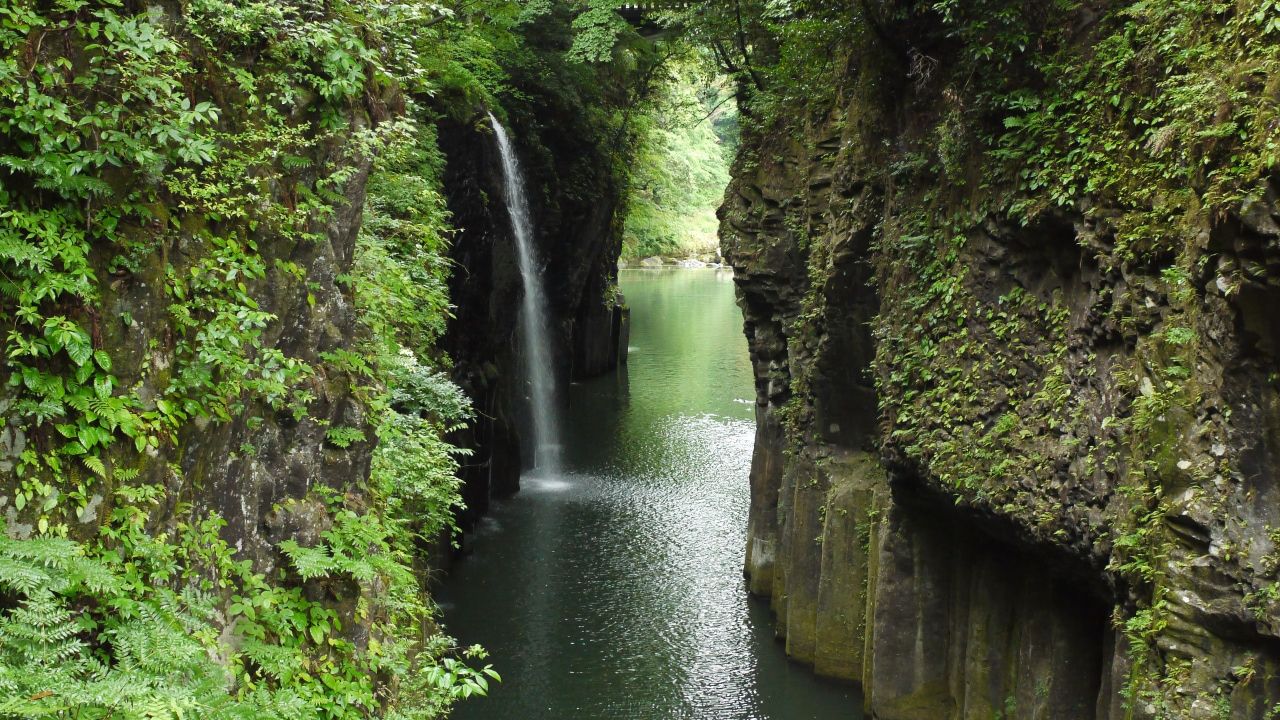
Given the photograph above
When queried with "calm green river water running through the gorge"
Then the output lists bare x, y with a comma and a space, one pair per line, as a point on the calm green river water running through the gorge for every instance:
615, 590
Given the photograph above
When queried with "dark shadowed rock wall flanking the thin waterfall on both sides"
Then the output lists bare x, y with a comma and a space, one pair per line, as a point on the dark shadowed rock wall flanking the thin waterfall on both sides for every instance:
575, 202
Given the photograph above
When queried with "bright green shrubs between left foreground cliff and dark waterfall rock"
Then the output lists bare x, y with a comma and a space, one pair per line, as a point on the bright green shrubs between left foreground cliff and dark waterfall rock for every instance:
401, 272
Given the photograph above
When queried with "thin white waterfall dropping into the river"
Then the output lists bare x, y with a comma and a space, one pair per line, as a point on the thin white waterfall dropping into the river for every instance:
536, 326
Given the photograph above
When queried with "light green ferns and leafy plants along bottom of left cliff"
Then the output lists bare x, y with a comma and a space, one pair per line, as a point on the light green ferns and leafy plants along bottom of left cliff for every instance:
167, 627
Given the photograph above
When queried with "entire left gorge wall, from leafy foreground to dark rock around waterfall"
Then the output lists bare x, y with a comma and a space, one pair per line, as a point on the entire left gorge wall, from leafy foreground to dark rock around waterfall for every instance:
225, 279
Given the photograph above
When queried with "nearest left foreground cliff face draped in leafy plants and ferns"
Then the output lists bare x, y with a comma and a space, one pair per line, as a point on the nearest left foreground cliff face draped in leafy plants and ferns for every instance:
177, 429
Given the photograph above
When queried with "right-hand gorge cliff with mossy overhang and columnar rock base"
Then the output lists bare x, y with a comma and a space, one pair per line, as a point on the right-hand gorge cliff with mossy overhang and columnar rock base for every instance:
1011, 282
